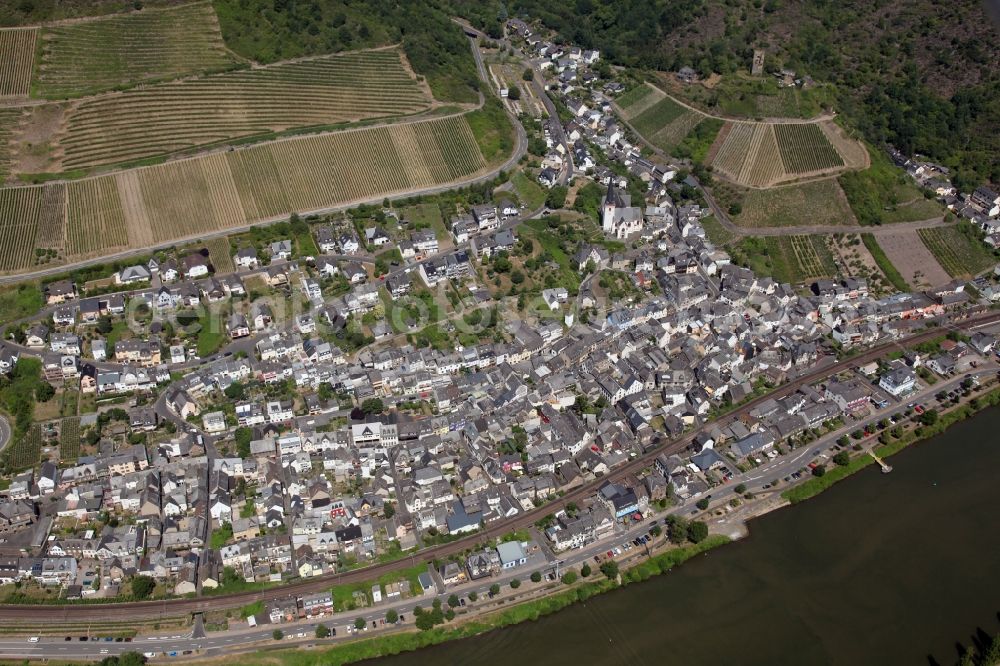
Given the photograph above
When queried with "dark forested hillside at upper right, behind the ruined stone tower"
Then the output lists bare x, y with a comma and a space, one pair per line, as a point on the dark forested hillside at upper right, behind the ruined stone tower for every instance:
923, 75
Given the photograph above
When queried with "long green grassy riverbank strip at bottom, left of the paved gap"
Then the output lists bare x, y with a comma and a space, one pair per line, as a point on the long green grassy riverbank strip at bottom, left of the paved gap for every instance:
391, 644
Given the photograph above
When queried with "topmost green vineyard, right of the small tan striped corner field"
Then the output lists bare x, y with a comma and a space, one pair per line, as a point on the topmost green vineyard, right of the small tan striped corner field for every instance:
113, 52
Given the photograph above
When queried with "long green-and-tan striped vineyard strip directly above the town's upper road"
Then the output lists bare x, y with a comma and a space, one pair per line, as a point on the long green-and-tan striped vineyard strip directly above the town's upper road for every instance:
187, 198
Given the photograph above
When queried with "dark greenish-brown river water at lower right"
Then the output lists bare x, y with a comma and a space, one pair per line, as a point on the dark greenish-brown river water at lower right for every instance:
882, 569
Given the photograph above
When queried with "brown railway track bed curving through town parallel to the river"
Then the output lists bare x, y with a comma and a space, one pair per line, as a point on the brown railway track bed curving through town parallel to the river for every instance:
175, 607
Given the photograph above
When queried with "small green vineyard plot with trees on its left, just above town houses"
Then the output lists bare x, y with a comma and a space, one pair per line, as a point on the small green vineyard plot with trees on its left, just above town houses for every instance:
792, 259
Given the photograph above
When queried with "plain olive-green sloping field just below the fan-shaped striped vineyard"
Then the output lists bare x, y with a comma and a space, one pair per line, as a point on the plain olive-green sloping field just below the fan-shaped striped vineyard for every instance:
816, 203
